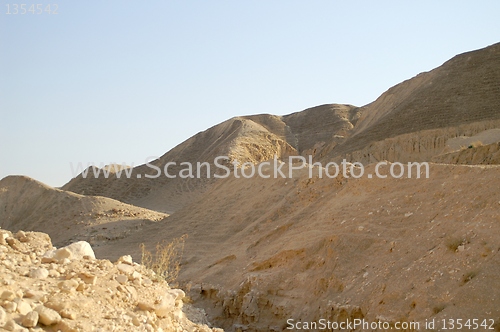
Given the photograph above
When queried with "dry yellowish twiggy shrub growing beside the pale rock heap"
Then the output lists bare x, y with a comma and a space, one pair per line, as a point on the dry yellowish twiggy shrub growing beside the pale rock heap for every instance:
166, 261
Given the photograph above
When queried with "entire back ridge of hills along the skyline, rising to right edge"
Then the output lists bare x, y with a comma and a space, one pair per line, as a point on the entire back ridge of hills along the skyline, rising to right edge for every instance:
412, 121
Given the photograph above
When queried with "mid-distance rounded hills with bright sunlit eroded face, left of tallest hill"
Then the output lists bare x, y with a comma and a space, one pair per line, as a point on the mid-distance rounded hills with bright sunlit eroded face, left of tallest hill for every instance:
246, 139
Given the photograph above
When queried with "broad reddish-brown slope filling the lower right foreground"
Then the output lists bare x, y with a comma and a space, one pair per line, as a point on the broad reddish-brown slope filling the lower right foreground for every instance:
261, 250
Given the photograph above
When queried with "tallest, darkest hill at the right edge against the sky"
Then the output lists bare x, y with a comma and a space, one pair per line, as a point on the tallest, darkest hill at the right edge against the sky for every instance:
414, 119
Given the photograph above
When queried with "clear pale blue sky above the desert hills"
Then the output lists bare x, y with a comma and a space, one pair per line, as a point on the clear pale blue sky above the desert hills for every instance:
122, 81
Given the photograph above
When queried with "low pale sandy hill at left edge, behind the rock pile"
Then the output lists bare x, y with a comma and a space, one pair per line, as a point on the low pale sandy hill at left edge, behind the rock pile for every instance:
26, 204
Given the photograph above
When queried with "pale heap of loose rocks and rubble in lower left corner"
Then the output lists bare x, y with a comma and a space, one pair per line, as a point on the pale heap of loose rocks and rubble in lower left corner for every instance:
47, 289
